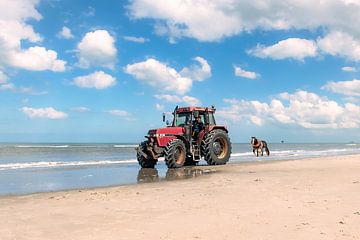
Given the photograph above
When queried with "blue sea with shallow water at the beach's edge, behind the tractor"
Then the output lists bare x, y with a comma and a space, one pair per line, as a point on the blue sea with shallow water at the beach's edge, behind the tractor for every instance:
30, 168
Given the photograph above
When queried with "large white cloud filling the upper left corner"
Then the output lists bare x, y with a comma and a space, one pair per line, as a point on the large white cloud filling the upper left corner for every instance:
14, 30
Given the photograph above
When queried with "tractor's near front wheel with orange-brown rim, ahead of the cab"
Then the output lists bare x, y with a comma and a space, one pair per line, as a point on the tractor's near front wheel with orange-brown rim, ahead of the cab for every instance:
175, 154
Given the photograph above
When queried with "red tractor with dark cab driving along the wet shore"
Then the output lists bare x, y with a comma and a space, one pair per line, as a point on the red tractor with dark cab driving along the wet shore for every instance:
180, 144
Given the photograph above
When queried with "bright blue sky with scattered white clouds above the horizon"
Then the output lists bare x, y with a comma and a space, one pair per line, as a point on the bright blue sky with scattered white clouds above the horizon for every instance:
105, 71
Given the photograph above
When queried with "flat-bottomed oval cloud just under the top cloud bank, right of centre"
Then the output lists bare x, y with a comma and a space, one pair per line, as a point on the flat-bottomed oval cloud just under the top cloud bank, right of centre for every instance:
295, 48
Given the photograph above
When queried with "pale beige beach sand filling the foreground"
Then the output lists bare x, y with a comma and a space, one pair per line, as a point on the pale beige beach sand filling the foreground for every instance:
303, 199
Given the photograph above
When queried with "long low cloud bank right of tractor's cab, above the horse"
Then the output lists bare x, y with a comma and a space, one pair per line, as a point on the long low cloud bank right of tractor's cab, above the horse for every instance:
304, 109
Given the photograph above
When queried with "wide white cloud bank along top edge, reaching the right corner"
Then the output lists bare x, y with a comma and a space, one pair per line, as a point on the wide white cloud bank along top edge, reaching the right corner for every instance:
212, 20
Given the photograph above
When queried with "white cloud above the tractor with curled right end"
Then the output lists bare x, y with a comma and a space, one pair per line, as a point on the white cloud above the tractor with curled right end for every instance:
163, 77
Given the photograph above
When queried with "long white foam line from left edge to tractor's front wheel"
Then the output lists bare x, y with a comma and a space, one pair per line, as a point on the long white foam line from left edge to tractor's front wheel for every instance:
10, 166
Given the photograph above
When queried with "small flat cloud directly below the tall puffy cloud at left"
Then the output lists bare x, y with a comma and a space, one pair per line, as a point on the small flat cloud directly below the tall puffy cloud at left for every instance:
98, 80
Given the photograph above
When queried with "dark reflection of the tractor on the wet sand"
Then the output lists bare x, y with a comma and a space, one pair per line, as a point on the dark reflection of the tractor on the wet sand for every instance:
147, 175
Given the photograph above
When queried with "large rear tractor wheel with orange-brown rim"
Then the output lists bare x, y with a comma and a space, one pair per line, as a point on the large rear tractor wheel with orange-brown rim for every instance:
216, 147
